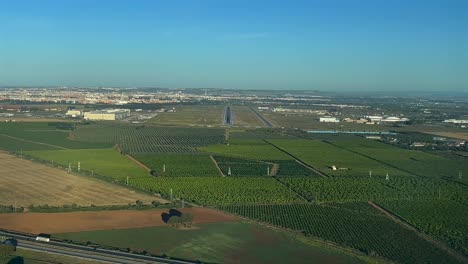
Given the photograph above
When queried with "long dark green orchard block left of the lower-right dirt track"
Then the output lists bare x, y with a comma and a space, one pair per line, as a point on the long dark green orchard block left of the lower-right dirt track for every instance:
373, 234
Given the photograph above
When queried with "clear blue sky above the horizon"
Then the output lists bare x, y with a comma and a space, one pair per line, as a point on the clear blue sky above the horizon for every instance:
280, 44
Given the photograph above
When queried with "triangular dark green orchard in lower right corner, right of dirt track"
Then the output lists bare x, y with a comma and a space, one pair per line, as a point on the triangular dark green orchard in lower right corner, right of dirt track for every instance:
444, 219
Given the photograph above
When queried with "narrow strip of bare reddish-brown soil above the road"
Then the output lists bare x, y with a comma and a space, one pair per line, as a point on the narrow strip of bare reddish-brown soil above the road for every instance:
101, 220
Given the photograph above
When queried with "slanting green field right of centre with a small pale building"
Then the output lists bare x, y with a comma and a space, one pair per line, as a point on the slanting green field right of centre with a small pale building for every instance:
323, 156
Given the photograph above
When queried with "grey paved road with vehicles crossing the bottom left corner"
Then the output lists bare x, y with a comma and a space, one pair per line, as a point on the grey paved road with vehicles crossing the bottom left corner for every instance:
28, 242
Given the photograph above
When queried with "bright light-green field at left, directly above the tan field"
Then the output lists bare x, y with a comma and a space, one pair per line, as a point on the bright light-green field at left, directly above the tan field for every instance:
106, 162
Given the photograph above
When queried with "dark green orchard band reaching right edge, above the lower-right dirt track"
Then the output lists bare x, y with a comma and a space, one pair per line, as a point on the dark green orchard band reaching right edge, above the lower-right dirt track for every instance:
364, 189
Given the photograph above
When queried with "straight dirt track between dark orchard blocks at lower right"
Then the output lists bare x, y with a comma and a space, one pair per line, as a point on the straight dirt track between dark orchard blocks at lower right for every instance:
424, 236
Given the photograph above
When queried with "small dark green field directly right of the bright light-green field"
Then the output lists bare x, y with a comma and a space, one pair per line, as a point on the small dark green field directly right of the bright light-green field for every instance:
180, 165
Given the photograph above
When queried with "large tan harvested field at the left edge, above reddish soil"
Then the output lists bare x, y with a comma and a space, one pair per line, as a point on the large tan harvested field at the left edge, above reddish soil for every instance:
26, 183
